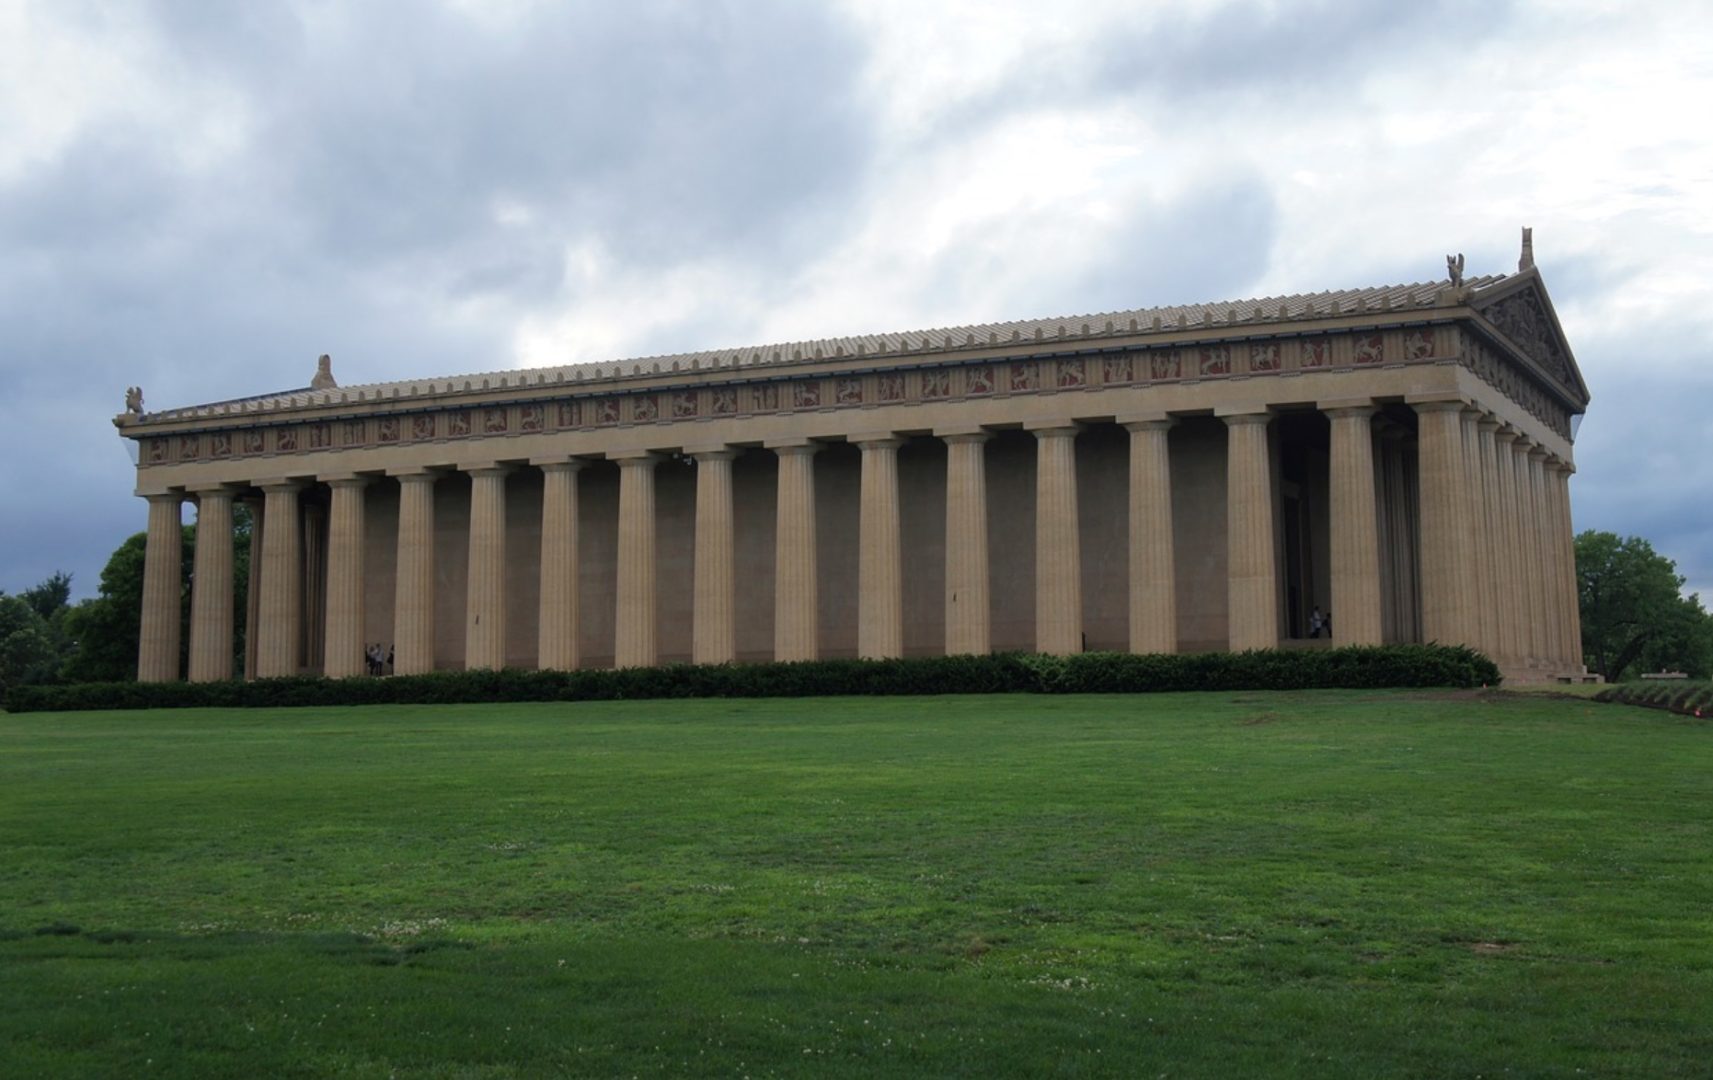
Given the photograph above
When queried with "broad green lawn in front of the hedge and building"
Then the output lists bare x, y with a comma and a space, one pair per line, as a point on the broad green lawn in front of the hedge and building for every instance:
1219, 885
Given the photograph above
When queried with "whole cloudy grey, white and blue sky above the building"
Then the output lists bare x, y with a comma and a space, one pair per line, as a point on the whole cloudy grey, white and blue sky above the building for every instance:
205, 196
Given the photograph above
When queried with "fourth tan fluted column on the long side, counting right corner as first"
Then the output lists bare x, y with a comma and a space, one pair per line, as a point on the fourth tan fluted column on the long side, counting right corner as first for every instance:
1154, 572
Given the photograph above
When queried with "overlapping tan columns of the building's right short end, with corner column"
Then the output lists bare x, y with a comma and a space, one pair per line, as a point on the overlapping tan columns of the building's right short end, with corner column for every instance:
1498, 553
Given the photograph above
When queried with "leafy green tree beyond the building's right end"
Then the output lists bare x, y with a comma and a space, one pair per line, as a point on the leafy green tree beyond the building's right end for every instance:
1635, 616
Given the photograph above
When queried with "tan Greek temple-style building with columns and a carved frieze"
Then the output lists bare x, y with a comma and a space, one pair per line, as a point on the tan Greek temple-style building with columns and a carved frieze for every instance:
1157, 481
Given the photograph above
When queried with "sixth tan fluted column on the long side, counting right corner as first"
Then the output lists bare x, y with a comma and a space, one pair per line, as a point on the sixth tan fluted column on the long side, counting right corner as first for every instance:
969, 628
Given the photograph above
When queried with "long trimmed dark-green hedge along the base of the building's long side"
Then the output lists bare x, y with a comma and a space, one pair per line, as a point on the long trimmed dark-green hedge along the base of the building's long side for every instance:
1395, 666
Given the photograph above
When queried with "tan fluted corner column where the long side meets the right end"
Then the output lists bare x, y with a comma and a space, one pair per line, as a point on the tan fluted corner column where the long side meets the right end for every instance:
1445, 534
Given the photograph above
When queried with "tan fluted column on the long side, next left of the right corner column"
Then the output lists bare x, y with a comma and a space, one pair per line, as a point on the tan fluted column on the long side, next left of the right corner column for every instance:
1356, 549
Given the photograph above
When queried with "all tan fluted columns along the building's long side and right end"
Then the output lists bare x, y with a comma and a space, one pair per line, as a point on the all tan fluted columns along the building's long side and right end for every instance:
1493, 510
